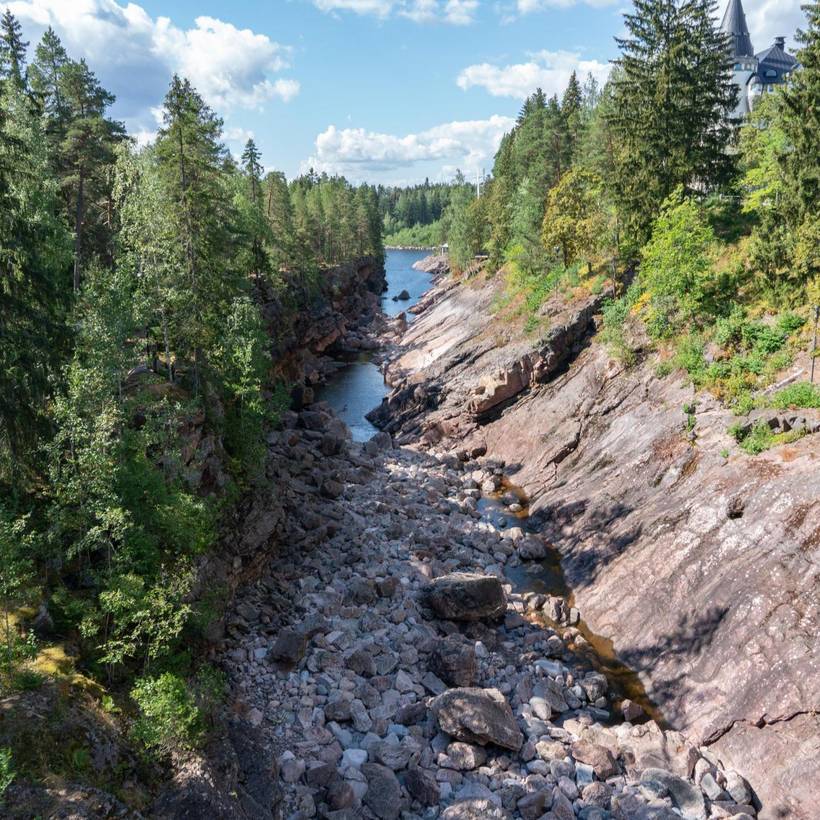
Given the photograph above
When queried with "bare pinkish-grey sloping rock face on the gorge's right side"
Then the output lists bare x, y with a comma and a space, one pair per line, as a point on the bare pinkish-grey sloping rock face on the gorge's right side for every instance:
701, 563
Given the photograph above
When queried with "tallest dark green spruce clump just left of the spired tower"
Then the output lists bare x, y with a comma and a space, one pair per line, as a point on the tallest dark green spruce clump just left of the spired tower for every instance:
674, 98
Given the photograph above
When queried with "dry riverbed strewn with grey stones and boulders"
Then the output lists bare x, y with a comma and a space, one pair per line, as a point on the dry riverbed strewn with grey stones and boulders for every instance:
384, 659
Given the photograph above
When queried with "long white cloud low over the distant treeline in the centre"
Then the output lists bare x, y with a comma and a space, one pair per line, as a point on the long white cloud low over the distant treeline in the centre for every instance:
377, 157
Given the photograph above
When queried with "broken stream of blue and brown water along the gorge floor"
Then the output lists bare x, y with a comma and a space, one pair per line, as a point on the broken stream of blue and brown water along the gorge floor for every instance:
357, 387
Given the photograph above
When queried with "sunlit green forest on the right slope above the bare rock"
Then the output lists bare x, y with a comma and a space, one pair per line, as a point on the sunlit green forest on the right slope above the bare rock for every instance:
707, 226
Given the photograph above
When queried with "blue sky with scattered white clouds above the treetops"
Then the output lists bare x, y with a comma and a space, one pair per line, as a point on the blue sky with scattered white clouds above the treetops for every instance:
382, 91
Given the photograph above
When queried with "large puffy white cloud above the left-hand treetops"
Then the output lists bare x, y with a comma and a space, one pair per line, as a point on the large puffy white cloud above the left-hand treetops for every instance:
134, 55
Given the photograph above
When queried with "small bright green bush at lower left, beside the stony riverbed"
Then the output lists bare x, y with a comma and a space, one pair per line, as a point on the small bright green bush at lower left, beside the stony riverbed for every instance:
169, 717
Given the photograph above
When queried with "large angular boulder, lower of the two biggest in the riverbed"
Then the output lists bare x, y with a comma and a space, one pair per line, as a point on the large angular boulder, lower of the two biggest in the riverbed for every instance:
477, 716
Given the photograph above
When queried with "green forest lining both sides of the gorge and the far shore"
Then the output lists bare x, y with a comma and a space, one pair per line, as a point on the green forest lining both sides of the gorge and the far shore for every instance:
129, 303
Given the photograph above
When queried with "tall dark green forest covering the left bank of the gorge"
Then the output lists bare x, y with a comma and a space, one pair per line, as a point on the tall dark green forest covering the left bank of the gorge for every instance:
130, 314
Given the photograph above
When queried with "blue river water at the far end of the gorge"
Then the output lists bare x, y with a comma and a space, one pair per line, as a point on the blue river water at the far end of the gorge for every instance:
357, 387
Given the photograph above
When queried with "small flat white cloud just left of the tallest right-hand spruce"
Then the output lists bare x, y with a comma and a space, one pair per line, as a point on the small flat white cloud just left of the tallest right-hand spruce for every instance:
549, 70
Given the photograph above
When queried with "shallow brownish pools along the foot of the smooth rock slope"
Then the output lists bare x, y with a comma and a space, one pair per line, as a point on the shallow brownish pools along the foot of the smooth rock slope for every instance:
547, 578
